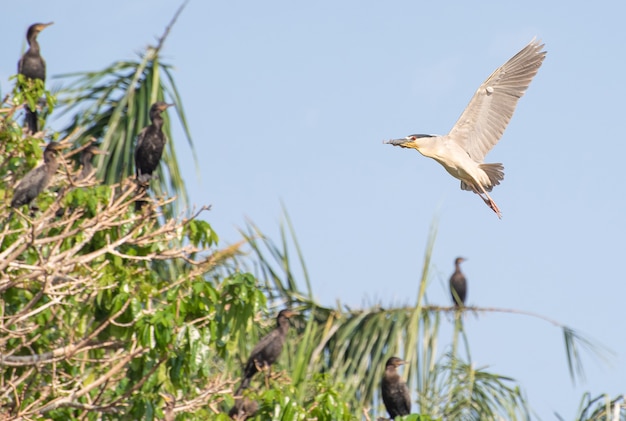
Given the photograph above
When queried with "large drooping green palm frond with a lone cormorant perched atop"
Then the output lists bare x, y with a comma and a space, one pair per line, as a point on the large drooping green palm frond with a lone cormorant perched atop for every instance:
351, 346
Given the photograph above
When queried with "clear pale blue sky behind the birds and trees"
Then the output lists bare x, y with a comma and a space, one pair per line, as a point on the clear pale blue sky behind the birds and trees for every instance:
290, 102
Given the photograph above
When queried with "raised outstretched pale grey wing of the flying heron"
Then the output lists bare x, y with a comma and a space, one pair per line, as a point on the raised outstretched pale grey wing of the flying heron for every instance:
483, 122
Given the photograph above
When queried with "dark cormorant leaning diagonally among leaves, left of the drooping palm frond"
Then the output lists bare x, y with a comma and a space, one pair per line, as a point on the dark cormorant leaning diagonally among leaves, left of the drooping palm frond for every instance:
266, 352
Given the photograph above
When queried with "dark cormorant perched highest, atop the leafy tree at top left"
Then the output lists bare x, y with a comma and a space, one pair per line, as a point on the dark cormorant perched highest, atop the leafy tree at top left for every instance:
33, 66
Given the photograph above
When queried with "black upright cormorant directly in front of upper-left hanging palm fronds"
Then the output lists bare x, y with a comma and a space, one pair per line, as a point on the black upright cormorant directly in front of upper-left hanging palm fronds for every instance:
150, 144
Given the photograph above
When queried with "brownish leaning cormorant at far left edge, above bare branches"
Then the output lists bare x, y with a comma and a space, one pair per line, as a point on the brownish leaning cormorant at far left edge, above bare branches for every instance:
35, 181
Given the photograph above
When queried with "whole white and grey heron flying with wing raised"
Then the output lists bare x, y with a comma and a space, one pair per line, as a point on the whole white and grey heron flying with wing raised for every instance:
462, 151
